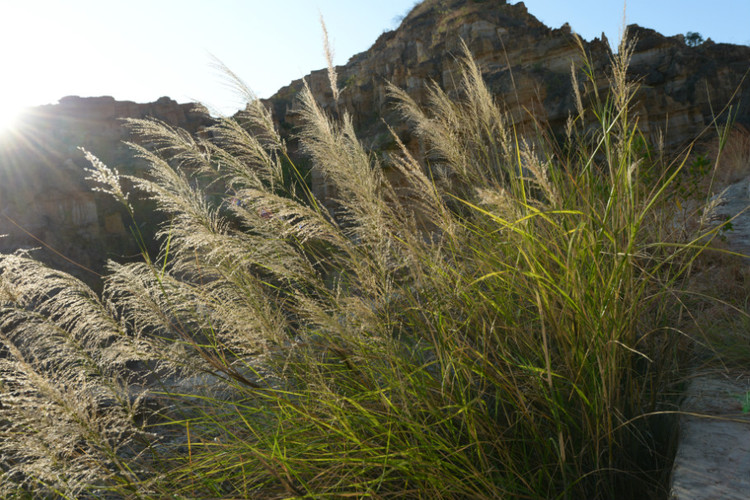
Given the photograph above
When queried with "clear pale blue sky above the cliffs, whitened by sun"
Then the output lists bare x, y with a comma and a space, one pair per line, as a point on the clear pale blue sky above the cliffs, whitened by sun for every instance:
140, 50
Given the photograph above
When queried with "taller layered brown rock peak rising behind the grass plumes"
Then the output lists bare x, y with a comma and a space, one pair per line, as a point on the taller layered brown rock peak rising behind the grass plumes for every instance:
528, 68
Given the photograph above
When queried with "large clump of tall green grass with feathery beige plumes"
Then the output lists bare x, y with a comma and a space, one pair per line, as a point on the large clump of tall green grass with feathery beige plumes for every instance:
497, 323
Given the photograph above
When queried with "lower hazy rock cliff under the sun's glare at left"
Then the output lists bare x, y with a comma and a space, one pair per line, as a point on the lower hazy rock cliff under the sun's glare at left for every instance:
45, 202
